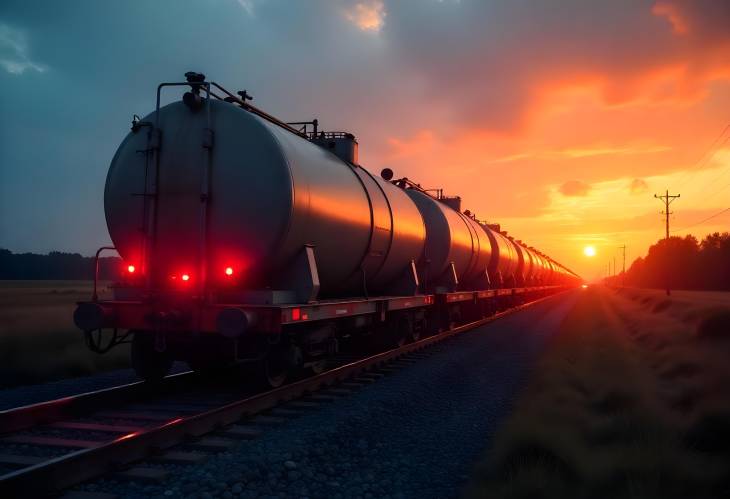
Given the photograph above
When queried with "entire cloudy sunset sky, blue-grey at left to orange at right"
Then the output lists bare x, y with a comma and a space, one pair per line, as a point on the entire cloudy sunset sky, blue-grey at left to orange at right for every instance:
559, 119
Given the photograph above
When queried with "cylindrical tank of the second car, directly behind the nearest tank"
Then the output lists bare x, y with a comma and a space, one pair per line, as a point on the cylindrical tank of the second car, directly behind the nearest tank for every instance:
450, 237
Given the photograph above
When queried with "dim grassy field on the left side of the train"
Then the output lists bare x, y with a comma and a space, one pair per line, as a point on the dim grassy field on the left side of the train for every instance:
38, 340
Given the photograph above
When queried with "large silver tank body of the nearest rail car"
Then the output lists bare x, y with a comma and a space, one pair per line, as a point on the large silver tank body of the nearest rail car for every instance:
271, 193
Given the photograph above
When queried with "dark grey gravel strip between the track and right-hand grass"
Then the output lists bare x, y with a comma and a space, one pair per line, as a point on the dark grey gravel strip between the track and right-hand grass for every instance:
414, 433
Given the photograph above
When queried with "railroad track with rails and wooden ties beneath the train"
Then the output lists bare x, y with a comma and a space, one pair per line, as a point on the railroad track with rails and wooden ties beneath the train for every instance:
47, 447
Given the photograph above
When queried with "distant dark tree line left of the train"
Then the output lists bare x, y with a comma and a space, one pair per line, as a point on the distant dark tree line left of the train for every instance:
56, 266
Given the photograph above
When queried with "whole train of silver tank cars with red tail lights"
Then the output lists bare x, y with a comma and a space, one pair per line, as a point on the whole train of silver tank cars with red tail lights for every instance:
252, 241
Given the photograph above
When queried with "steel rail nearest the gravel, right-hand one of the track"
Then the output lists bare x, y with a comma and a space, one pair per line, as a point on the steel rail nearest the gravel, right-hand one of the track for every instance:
70, 469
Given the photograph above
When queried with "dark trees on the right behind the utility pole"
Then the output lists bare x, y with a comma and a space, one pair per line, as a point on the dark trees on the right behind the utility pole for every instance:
682, 263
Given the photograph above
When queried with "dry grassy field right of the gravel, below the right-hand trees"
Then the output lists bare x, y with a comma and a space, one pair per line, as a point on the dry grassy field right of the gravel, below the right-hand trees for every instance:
631, 399
